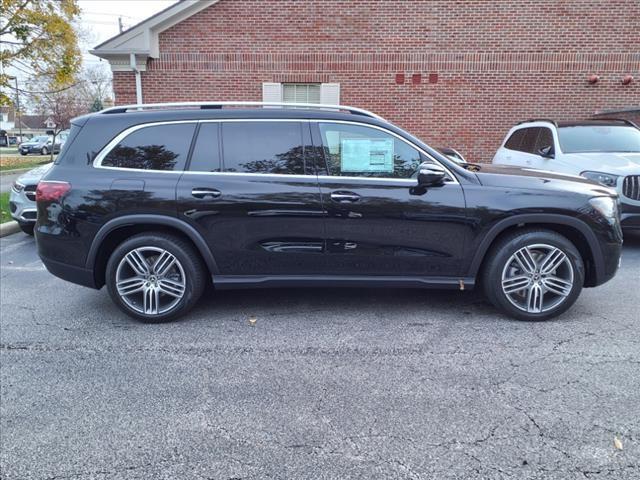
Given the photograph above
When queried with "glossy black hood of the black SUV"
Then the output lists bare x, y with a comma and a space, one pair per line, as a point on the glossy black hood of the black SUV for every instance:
528, 178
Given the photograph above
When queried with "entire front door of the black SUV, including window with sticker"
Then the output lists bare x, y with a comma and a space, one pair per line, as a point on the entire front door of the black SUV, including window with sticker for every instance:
379, 225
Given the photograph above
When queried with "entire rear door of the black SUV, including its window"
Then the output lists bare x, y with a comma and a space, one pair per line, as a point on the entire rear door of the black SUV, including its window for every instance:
262, 215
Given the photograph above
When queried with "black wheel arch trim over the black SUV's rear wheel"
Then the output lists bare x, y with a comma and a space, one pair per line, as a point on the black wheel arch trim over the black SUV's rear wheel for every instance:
118, 229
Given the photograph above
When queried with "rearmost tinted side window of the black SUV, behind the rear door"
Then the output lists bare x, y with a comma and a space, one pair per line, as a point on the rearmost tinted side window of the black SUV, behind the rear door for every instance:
160, 147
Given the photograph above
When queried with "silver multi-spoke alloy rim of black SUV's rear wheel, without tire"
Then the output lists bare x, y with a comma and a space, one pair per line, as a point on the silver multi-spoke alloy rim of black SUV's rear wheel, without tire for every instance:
150, 280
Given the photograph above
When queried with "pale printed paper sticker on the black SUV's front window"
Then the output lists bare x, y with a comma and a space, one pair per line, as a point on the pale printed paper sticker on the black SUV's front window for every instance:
367, 155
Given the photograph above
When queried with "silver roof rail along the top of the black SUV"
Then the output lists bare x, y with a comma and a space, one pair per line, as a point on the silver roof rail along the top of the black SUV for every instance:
219, 105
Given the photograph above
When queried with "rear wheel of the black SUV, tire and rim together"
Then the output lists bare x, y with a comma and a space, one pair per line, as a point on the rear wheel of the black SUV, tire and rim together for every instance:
155, 277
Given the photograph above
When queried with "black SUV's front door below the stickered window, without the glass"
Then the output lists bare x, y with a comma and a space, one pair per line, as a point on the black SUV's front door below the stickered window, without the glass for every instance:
391, 231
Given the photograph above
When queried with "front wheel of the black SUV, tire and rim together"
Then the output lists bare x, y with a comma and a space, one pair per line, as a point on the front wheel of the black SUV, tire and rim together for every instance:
533, 275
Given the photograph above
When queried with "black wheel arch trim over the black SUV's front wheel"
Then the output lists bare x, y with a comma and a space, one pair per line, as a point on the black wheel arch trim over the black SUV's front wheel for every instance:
573, 229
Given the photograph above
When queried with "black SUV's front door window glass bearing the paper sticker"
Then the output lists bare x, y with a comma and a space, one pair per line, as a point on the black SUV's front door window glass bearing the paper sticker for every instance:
353, 150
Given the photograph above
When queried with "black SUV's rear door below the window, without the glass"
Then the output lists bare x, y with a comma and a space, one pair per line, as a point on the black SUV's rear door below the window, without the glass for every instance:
256, 224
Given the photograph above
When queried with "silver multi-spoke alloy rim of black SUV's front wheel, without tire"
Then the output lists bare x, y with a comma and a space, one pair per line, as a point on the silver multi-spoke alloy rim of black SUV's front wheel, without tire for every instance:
537, 278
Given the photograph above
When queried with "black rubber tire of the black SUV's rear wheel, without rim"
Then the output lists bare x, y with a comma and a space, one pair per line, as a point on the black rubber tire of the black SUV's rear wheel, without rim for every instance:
194, 272
